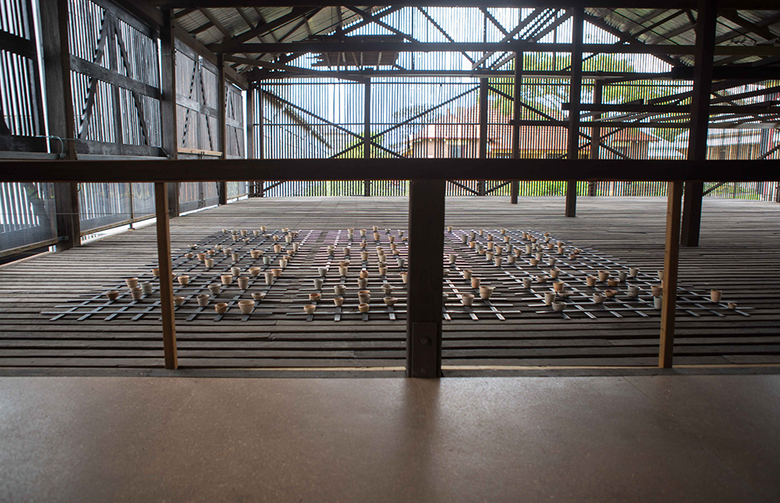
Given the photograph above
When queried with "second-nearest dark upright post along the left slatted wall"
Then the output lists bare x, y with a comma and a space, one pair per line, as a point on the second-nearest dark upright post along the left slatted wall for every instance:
169, 129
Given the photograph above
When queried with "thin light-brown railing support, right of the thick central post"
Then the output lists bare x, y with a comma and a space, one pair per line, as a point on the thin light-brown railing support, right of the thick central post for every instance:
671, 255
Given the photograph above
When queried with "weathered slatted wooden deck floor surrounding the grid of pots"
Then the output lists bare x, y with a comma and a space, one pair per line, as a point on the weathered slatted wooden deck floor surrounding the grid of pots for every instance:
739, 253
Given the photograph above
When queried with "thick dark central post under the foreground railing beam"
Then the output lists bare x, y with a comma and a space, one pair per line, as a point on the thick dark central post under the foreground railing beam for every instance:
426, 247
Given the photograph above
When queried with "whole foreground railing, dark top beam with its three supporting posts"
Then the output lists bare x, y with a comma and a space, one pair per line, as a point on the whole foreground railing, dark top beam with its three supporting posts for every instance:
426, 214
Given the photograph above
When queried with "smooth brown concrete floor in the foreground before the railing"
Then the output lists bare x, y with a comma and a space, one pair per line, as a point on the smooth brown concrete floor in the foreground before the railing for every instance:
667, 438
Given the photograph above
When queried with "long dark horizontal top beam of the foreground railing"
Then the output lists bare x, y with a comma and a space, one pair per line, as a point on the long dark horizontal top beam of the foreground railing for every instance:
196, 170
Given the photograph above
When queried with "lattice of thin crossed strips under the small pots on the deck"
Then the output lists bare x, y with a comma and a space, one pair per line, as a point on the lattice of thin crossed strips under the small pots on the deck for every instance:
288, 294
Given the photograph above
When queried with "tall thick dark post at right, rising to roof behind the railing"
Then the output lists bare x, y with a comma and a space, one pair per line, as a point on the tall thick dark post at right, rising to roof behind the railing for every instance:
700, 115
